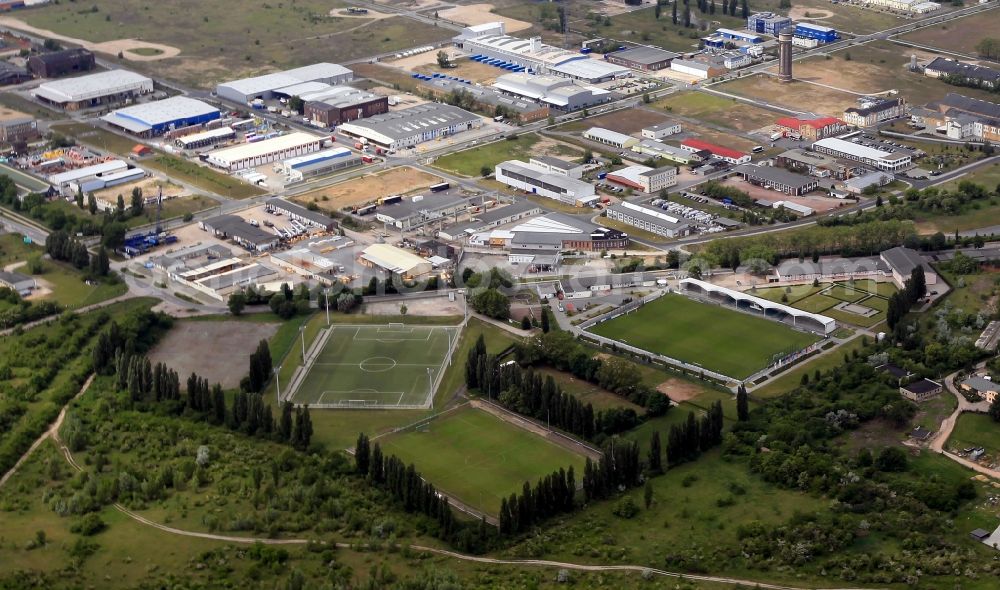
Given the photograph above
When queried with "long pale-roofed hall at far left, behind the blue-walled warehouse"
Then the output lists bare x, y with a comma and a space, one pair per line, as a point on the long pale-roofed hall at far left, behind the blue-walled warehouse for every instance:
112, 86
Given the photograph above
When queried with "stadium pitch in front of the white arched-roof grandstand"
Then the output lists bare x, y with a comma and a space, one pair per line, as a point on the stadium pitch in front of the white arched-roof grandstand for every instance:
730, 342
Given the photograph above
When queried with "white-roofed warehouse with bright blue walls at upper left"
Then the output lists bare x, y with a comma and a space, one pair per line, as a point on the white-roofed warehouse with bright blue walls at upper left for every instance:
155, 118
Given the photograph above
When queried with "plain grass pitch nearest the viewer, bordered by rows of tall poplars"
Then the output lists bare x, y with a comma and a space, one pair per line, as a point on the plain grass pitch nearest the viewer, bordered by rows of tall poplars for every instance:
479, 458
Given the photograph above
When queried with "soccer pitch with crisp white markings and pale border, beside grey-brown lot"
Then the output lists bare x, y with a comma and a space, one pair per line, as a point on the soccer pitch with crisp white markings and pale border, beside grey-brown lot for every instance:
376, 366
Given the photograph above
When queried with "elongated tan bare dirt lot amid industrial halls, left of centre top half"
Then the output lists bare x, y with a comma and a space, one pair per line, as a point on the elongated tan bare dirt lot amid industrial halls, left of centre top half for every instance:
395, 181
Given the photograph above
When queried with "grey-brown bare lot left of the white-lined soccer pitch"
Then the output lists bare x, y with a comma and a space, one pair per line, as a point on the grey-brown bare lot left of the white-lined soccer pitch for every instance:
215, 350
